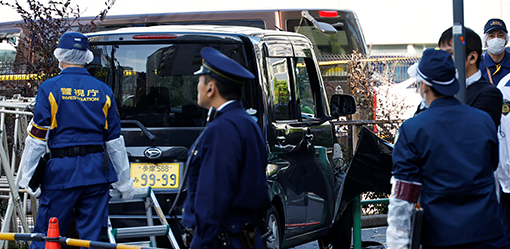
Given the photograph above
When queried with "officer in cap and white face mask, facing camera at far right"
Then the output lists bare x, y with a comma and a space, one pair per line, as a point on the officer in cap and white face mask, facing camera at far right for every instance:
495, 63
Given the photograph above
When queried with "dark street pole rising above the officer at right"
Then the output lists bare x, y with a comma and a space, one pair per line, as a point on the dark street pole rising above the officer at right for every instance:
459, 52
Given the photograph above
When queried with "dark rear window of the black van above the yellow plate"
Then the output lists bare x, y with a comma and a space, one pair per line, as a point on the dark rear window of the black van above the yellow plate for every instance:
154, 83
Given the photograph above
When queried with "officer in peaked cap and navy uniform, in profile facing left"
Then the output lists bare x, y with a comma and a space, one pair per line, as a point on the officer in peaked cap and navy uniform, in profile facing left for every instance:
227, 192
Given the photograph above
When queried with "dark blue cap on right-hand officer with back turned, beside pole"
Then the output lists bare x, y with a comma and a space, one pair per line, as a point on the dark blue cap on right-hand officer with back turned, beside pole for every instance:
438, 69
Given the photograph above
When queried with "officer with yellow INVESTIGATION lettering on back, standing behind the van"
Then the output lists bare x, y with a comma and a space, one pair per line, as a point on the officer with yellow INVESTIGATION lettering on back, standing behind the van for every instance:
75, 116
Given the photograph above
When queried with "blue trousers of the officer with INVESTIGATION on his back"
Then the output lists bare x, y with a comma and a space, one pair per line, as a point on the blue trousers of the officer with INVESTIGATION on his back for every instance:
90, 204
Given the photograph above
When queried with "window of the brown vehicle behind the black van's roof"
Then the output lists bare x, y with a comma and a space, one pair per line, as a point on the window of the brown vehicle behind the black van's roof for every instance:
345, 41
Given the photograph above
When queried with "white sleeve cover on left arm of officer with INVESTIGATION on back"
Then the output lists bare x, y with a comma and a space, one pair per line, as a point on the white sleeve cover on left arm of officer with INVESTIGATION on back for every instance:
32, 153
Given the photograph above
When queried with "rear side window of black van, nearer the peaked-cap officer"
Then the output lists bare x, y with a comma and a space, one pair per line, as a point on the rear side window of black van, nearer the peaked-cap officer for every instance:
281, 90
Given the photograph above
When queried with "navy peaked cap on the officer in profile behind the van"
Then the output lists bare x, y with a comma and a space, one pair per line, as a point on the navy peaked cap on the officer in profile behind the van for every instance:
222, 68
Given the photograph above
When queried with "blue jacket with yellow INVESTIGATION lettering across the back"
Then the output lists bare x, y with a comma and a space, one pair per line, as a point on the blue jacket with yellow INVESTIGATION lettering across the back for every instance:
76, 109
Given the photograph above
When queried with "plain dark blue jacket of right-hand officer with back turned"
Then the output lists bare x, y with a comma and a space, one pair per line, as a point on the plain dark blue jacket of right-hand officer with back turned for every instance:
452, 149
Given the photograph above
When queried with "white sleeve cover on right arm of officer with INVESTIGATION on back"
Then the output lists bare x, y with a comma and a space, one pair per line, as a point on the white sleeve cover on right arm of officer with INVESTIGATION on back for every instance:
117, 152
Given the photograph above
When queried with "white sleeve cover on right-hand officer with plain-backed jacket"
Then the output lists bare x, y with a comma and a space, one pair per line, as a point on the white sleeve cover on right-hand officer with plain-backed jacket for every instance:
398, 234
